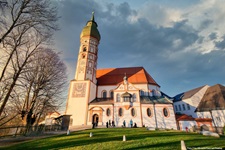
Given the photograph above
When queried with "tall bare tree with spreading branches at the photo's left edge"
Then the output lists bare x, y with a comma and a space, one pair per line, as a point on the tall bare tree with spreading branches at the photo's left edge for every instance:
27, 25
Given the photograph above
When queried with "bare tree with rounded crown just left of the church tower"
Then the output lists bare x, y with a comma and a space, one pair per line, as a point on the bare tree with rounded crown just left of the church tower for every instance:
40, 88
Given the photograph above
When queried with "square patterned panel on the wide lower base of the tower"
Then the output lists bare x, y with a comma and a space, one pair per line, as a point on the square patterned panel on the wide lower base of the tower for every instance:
79, 90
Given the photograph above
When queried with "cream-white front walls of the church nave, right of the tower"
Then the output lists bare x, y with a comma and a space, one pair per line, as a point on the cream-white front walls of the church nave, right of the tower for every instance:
156, 119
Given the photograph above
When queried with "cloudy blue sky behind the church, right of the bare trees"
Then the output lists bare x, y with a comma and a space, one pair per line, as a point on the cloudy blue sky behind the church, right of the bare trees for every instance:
180, 43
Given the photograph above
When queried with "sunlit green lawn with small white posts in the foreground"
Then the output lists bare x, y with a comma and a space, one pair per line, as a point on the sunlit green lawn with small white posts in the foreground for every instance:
111, 138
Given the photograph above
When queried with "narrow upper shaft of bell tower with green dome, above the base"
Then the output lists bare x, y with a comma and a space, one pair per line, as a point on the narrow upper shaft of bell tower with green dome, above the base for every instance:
87, 57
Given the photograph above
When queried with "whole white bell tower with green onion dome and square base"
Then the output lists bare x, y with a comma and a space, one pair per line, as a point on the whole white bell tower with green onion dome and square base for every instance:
83, 88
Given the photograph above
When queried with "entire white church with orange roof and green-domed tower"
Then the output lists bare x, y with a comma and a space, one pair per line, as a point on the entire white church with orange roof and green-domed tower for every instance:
114, 94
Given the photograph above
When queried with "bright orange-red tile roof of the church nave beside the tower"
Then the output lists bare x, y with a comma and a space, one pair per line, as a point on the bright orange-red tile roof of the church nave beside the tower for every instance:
114, 76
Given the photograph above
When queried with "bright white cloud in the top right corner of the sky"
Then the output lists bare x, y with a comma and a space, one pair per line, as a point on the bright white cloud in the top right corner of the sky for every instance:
207, 17
